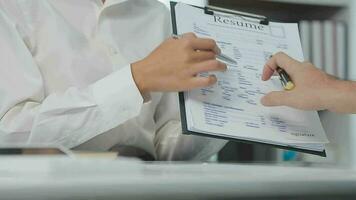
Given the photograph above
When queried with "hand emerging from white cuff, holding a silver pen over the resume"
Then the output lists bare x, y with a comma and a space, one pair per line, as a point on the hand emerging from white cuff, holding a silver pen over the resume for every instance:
175, 64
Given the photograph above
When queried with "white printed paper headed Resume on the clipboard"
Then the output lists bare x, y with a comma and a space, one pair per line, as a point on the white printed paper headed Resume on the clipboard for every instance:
232, 108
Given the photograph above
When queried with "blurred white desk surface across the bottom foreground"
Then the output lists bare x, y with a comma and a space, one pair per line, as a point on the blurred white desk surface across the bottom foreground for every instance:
70, 178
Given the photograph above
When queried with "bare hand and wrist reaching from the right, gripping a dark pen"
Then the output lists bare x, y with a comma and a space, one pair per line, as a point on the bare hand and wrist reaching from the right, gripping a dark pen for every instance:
314, 89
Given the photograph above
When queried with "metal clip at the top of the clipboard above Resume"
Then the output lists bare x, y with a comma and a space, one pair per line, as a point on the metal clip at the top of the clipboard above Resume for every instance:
209, 10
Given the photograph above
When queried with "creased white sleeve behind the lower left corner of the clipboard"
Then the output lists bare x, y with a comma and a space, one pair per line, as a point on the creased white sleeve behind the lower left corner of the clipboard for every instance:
171, 144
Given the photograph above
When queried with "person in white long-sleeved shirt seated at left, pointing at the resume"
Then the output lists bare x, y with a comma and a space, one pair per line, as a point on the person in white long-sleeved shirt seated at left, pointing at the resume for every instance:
81, 74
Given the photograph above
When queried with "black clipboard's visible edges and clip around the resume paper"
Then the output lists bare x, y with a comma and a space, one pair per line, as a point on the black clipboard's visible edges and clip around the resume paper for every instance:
210, 10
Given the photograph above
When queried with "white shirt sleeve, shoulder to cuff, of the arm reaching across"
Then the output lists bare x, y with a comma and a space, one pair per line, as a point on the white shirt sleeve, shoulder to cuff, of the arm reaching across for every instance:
68, 118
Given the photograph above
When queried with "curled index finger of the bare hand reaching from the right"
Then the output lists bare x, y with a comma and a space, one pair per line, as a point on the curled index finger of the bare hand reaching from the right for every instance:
281, 60
